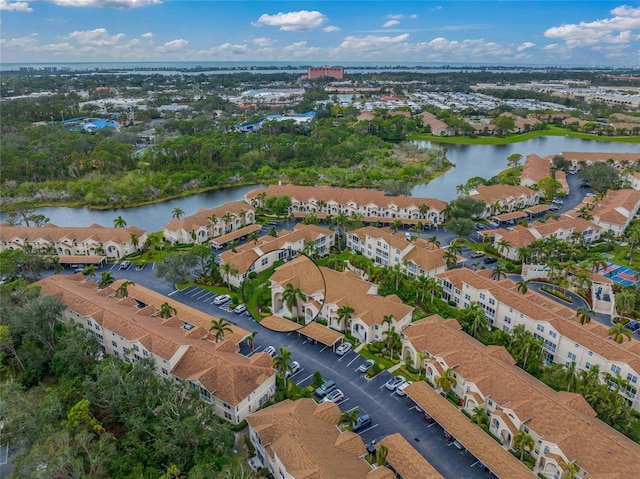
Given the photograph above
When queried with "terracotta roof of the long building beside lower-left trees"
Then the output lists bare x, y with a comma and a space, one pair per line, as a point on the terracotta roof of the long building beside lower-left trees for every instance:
228, 375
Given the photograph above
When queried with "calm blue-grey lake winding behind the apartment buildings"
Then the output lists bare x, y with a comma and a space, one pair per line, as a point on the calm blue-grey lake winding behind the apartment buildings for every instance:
470, 161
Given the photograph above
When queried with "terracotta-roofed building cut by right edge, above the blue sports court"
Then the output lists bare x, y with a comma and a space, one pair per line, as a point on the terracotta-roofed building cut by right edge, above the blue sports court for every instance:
615, 211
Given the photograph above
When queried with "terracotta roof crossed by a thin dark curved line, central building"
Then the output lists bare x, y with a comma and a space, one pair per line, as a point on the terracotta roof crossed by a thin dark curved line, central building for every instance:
341, 288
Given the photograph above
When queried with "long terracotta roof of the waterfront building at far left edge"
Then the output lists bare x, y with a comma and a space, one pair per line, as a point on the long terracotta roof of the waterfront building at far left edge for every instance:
80, 234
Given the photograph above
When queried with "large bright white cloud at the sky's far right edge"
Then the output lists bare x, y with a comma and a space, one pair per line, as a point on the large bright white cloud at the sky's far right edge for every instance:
617, 29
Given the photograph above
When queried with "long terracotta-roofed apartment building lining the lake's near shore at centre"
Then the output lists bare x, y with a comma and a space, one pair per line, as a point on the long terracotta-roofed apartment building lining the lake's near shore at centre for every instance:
371, 205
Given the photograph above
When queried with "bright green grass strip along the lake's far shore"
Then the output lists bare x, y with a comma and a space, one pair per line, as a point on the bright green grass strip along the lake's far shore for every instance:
494, 140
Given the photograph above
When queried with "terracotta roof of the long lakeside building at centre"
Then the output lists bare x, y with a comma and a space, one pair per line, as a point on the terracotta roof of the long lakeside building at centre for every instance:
345, 195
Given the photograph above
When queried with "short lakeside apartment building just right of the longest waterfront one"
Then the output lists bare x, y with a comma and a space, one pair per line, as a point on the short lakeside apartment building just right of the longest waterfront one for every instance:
504, 198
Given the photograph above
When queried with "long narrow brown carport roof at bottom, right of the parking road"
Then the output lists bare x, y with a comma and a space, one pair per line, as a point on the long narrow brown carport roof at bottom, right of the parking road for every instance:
483, 447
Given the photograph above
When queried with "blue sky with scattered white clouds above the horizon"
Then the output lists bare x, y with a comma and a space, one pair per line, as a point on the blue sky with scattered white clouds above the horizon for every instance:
552, 32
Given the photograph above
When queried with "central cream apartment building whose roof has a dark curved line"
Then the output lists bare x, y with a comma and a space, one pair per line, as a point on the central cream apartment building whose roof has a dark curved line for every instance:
325, 290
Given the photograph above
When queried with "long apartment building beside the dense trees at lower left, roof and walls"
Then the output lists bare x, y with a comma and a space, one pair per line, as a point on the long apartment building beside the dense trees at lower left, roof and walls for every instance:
183, 349
